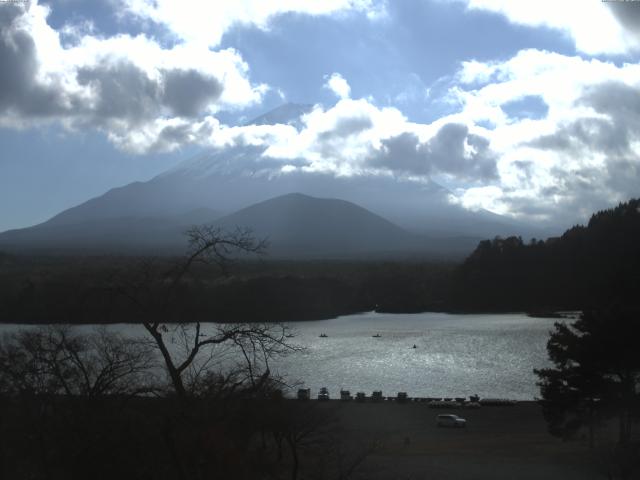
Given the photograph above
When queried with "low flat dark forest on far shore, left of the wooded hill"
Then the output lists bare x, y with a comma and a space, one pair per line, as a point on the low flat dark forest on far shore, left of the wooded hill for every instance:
83, 289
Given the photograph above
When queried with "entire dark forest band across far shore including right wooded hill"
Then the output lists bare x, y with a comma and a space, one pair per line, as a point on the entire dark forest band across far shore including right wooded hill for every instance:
587, 267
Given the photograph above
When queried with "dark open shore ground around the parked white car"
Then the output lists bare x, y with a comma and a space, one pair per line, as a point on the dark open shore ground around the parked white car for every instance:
498, 443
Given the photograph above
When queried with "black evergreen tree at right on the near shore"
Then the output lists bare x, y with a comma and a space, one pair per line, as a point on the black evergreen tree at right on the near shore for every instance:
596, 373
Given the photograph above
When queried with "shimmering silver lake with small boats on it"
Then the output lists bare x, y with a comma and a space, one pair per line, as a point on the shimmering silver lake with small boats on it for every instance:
456, 355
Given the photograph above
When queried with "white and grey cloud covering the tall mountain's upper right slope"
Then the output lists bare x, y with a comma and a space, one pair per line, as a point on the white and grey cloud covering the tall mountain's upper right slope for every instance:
357, 138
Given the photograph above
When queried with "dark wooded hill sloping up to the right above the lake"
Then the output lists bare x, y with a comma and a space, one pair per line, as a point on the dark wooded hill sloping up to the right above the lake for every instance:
587, 267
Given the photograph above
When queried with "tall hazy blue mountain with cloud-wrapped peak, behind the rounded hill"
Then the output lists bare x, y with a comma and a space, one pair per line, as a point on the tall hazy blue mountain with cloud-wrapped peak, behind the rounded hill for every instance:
229, 179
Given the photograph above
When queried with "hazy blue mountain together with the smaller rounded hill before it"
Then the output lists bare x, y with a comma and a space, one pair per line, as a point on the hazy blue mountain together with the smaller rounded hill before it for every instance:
219, 182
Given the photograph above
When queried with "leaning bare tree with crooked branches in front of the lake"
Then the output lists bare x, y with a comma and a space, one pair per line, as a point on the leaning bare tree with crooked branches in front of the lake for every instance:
200, 349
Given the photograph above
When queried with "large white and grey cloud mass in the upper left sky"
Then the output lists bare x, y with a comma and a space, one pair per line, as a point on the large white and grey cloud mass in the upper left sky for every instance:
142, 94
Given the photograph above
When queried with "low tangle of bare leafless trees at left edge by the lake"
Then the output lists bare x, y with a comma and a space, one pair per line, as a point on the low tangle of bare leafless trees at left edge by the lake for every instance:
57, 360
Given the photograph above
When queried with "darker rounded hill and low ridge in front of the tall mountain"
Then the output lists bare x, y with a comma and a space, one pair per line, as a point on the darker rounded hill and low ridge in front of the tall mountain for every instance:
296, 225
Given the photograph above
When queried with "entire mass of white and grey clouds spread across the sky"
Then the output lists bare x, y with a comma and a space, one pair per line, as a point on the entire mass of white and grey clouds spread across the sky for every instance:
577, 152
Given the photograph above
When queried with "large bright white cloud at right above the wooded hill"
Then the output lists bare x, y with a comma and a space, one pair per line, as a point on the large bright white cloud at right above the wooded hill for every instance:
581, 154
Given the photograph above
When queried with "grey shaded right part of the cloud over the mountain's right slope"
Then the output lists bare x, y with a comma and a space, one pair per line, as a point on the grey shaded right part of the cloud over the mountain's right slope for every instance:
444, 153
